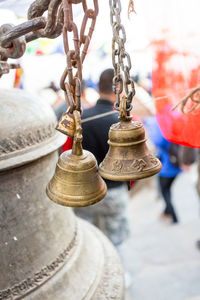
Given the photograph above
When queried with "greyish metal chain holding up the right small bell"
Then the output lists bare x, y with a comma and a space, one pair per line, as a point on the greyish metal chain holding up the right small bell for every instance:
120, 58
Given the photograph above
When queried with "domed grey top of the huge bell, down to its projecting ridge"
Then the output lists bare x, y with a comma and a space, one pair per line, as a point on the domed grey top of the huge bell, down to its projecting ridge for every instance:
22, 141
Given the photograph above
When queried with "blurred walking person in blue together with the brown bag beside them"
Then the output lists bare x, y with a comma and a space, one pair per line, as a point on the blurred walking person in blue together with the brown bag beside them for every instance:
175, 159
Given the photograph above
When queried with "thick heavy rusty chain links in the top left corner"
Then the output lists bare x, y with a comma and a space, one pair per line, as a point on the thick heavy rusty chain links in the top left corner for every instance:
13, 39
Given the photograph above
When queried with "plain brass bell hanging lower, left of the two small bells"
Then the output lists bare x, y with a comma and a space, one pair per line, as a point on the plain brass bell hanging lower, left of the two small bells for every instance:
76, 181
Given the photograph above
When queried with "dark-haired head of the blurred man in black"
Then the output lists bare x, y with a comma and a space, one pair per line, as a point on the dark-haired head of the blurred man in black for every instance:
105, 85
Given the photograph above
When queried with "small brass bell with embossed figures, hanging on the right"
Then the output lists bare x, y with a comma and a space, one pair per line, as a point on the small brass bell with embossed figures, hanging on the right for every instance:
128, 157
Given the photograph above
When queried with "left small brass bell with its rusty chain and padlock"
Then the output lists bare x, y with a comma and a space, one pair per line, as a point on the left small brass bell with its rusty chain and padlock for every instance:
76, 181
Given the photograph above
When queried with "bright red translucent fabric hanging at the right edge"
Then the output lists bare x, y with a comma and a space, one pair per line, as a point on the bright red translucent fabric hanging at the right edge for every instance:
171, 82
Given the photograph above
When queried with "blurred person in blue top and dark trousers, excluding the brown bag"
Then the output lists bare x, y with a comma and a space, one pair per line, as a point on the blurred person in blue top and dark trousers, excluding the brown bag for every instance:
168, 172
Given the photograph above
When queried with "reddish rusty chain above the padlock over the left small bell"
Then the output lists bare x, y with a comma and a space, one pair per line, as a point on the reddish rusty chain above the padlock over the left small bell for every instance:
76, 56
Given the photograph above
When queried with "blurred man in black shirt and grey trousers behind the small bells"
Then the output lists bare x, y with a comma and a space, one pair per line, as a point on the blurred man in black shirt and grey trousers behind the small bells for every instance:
110, 215
